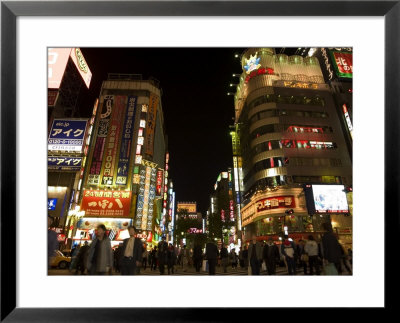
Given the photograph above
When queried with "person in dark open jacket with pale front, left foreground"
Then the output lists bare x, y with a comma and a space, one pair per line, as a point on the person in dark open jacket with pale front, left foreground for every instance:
131, 253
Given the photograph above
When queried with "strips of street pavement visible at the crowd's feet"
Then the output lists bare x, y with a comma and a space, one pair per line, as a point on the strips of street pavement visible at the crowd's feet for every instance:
190, 271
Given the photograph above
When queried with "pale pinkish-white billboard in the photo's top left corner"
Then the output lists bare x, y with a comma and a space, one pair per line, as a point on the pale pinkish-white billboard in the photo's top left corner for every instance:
57, 59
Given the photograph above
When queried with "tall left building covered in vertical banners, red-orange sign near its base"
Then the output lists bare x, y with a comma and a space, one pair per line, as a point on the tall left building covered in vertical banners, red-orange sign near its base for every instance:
126, 164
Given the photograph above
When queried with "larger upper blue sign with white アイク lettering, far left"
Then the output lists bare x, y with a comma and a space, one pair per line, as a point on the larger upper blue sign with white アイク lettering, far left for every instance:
67, 135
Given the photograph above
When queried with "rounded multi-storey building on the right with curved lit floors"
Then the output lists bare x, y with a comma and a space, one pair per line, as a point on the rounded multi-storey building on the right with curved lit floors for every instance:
287, 134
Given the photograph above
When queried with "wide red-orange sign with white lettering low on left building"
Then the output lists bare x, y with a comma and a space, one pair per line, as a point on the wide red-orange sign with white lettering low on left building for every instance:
106, 203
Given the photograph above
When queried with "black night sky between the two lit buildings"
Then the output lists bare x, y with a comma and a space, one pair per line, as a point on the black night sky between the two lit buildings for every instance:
197, 109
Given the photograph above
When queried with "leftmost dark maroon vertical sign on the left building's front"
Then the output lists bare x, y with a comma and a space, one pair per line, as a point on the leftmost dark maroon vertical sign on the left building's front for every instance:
102, 131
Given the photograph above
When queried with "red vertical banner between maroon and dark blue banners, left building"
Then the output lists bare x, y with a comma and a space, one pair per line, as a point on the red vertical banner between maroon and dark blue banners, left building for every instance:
113, 140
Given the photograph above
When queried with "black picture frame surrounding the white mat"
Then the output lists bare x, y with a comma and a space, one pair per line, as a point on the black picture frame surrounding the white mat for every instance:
10, 10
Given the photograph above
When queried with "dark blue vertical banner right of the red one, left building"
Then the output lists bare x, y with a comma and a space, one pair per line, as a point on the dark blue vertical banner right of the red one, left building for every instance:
126, 143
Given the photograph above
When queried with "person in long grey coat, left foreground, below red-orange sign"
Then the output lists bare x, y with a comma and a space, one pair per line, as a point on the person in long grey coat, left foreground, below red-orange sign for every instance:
100, 257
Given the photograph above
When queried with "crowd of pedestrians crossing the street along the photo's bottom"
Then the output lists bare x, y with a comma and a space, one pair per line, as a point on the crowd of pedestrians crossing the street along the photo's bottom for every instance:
132, 256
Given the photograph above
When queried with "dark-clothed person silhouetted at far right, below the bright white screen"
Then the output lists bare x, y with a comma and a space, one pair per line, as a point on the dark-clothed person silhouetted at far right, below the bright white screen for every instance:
331, 250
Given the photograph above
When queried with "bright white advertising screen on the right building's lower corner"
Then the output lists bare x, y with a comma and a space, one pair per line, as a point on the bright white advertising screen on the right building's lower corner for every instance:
329, 199
